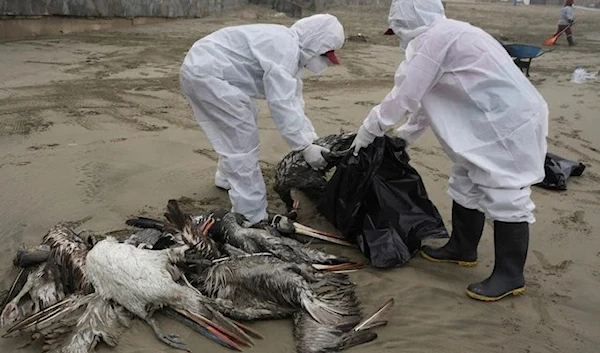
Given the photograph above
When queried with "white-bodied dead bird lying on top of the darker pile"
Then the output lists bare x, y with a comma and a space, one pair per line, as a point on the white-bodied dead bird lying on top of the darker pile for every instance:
144, 281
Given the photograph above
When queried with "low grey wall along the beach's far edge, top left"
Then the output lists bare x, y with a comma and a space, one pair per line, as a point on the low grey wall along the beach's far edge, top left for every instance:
116, 8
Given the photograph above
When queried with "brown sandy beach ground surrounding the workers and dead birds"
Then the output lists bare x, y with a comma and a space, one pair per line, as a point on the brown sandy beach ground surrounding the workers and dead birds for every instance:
94, 129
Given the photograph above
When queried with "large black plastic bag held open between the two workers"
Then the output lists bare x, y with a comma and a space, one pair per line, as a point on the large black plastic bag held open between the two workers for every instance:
378, 200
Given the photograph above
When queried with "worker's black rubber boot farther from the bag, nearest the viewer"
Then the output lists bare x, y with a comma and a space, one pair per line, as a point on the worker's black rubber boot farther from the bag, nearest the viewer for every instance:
511, 241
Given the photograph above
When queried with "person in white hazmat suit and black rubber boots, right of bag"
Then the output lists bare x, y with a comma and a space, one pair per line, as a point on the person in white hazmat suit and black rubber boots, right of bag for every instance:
489, 119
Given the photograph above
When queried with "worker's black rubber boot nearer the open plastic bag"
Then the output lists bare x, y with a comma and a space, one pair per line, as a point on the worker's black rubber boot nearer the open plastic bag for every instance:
461, 249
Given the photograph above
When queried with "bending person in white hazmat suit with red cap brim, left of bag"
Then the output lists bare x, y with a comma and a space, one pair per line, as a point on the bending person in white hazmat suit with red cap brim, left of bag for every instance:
222, 75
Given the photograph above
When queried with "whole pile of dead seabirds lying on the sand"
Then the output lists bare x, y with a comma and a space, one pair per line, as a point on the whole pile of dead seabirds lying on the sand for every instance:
212, 272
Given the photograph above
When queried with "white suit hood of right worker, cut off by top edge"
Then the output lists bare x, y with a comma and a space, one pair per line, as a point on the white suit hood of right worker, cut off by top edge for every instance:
409, 18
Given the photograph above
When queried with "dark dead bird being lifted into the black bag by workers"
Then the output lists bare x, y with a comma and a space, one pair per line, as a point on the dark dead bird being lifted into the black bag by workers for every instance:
292, 172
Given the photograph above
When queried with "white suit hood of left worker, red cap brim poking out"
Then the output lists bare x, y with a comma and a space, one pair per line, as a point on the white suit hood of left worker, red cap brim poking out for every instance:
319, 35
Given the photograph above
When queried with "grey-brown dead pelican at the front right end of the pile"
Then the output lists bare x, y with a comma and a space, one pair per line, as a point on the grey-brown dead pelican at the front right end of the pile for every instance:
327, 315
